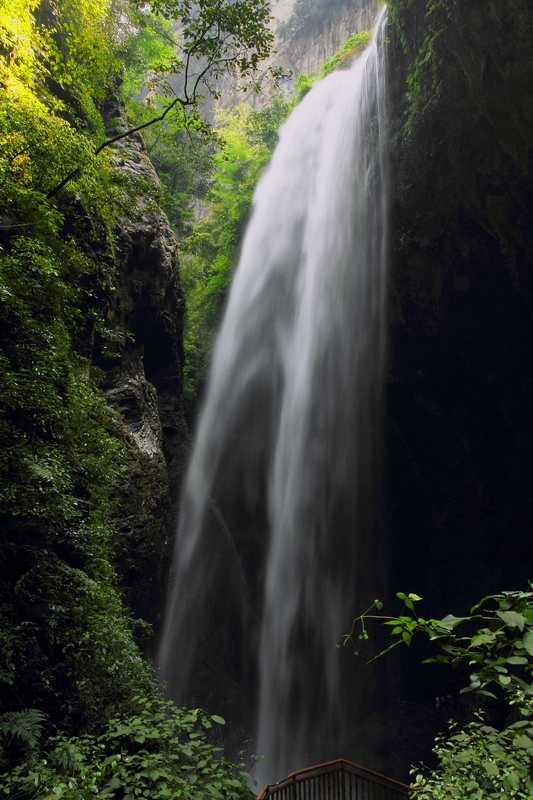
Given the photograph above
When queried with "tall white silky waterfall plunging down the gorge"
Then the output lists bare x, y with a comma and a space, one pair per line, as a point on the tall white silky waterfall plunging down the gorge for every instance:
278, 540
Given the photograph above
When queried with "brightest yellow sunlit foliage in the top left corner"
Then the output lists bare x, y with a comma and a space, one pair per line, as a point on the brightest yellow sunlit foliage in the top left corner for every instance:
65, 54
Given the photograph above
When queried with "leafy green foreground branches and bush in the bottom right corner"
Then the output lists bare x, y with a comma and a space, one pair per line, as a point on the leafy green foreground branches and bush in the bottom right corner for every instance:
494, 646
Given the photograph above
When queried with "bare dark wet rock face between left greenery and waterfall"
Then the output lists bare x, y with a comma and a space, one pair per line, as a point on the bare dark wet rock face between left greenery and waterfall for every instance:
144, 383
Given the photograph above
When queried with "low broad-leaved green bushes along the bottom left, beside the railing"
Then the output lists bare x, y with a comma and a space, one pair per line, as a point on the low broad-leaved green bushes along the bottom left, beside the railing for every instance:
158, 752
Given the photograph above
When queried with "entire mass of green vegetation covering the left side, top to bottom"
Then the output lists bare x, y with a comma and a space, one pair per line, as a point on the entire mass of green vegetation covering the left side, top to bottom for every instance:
80, 709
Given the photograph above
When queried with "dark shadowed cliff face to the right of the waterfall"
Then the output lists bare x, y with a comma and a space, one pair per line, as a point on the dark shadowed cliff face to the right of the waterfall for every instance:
459, 444
